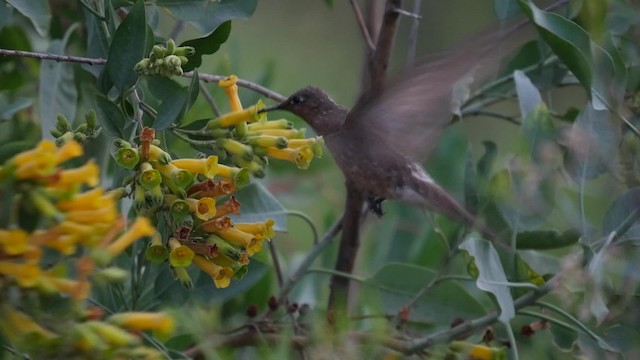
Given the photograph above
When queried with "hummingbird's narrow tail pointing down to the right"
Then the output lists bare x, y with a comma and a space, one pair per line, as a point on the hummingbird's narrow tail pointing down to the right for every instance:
424, 192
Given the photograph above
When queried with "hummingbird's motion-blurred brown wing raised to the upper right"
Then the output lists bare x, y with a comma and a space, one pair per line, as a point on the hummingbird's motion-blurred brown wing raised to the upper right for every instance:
411, 112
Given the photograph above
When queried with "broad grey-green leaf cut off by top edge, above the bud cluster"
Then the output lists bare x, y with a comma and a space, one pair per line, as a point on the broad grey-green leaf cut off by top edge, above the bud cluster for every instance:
208, 15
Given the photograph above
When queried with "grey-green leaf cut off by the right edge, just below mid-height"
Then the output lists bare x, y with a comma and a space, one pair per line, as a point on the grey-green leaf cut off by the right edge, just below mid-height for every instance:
622, 217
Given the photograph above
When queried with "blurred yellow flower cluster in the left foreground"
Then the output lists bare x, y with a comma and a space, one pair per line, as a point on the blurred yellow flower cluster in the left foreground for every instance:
55, 215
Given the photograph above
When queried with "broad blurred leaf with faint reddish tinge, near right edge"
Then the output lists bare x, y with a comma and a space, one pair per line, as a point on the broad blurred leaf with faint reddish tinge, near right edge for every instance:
593, 142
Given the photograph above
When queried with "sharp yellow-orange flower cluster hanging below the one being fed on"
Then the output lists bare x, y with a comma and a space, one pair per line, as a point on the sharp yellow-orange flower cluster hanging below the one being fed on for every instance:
190, 190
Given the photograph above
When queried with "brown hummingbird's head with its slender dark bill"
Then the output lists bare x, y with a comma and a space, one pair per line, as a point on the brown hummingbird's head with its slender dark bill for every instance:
316, 108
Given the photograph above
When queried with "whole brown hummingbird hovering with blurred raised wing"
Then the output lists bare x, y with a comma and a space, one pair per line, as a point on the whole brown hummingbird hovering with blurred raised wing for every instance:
375, 143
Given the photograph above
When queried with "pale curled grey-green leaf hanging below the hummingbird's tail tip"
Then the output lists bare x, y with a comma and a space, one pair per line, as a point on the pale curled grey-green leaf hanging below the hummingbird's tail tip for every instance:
491, 277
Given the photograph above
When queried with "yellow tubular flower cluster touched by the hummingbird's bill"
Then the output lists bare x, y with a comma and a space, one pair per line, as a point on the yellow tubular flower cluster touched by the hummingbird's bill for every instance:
251, 138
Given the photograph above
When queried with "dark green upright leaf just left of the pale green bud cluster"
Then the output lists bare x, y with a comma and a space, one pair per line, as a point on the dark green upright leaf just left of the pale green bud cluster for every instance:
127, 48
